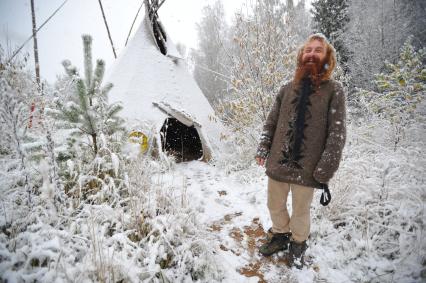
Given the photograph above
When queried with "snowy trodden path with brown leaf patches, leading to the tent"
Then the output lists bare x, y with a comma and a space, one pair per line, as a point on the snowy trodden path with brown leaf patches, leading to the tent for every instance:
237, 217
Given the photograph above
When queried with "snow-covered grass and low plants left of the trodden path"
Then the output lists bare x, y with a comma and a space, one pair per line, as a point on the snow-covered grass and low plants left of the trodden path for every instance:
152, 234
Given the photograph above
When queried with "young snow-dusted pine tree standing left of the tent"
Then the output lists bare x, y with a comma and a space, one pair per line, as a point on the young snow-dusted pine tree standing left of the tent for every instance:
89, 166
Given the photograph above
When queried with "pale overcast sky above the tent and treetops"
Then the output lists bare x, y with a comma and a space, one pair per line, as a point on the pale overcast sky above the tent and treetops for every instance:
61, 37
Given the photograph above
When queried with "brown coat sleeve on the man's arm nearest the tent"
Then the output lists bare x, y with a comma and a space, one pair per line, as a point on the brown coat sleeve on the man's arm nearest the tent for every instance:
269, 127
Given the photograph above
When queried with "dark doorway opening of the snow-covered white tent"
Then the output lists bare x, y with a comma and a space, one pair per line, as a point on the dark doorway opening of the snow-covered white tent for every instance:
181, 141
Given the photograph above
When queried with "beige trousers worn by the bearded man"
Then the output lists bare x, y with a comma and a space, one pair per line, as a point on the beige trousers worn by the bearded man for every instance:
300, 221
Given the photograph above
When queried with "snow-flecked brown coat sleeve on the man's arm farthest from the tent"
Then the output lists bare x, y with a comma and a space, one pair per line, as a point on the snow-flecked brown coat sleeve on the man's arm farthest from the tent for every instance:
336, 138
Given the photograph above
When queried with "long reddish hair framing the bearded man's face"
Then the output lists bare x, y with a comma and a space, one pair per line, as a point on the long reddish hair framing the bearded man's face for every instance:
330, 55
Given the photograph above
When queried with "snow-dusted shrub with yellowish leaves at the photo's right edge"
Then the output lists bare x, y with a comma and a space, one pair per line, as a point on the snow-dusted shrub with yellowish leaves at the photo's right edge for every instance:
400, 91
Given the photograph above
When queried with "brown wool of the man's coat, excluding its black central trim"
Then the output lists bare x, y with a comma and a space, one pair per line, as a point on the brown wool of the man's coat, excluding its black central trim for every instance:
324, 136
